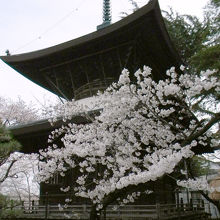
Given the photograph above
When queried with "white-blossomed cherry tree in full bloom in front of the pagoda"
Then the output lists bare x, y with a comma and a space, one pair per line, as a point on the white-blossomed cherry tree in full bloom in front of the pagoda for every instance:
139, 131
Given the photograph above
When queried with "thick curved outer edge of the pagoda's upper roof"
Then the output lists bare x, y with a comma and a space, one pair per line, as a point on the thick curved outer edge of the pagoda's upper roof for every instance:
94, 36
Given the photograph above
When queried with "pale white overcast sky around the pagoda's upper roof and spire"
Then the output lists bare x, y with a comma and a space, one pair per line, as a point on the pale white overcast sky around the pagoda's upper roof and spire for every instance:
27, 25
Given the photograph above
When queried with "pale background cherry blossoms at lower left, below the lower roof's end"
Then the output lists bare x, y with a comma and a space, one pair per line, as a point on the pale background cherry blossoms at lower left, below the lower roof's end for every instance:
21, 183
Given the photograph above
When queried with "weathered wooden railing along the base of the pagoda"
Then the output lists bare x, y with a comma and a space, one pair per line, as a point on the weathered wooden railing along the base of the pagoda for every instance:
158, 211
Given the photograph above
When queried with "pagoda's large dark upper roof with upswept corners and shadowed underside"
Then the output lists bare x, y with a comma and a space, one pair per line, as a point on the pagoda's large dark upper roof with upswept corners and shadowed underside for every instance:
78, 68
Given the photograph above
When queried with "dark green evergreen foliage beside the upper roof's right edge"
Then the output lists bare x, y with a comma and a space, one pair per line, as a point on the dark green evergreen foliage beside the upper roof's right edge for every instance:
197, 41
